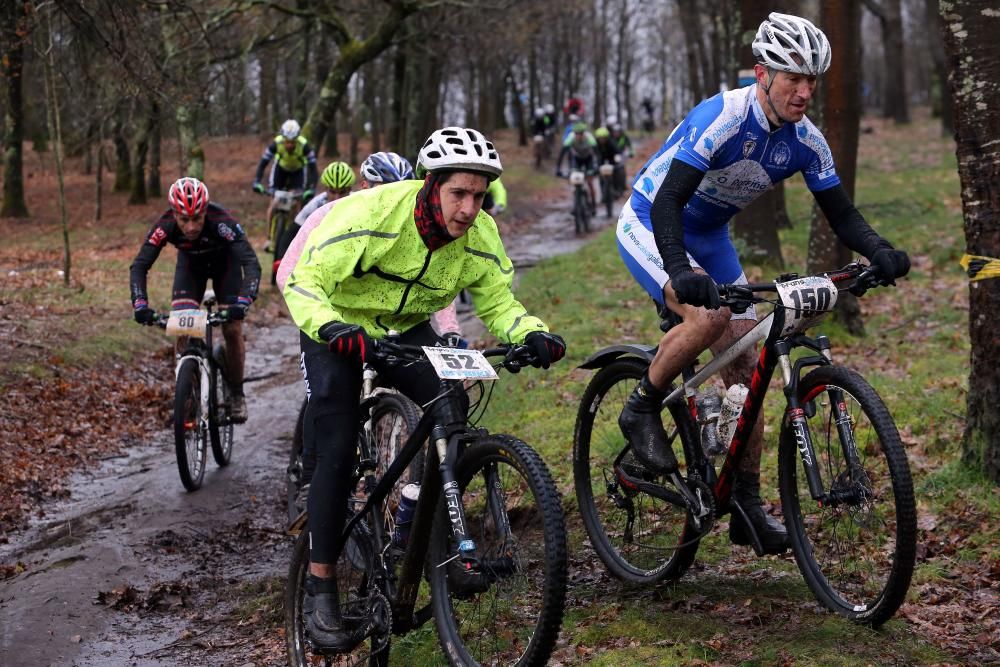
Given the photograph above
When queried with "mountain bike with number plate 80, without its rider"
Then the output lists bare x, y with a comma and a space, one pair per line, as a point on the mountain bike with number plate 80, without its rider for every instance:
201, 393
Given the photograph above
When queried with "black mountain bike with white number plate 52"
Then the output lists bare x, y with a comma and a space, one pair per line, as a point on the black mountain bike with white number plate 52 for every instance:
486, 552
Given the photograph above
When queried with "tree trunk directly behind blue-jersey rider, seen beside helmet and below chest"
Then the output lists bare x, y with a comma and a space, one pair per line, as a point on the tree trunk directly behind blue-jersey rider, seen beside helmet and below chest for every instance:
757, 224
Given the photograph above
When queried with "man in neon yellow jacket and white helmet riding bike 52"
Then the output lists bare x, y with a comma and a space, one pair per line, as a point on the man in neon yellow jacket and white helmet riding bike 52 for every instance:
386, 259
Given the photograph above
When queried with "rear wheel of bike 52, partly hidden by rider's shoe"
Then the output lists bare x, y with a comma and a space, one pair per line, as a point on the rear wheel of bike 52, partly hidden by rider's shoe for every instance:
358, 596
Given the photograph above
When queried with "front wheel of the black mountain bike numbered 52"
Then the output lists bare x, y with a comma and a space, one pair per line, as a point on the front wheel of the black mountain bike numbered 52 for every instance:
510, 611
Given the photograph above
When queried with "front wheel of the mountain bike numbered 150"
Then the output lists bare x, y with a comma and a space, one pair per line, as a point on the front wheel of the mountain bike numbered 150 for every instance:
856, 549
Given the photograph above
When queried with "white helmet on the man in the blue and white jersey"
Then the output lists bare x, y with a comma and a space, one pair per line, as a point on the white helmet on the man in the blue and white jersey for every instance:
791, 44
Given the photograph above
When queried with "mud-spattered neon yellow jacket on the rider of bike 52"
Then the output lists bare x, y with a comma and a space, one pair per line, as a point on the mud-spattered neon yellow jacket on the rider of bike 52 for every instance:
366, 264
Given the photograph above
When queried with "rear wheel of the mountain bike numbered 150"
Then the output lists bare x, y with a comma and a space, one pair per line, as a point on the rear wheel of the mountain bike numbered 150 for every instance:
634, 533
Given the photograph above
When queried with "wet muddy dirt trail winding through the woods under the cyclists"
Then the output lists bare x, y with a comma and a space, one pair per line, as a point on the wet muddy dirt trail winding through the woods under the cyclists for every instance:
135, 571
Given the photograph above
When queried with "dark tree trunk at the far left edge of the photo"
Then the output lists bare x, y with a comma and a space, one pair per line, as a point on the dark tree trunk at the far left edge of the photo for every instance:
12, 65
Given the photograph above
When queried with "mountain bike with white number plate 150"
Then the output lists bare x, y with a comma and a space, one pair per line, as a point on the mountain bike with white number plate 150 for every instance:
845, 485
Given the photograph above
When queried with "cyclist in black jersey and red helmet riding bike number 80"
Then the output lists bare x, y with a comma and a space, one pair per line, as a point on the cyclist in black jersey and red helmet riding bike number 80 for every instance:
210, 244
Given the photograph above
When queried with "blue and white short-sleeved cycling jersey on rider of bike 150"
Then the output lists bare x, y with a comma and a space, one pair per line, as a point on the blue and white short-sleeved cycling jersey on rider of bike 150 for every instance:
728, 137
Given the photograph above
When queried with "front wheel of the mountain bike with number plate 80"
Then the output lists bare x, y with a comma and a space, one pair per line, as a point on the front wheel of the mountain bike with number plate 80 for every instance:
189, 432
